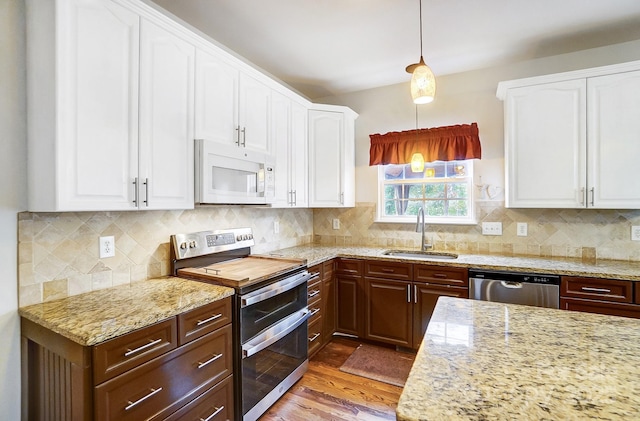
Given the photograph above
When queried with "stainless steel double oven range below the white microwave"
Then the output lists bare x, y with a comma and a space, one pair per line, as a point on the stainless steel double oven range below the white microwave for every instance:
270, 311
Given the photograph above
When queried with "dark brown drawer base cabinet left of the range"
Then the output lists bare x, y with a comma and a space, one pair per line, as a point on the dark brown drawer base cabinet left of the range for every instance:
176, 369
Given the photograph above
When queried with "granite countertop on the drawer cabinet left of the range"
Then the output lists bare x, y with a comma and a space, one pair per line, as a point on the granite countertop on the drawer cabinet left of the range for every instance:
97, 316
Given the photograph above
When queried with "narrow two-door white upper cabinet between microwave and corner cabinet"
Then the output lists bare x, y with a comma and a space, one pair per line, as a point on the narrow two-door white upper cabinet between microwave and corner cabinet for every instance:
289, 134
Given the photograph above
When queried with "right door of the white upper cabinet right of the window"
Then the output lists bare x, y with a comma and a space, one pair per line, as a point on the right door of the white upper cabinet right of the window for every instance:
614, 141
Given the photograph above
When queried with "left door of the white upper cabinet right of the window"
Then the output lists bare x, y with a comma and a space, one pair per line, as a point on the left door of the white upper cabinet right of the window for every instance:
545, 145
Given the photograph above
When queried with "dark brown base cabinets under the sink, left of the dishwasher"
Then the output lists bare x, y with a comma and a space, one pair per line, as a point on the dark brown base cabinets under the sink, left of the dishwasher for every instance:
392, 302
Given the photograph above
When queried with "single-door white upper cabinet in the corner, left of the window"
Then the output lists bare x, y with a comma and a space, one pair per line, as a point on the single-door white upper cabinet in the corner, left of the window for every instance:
331, 157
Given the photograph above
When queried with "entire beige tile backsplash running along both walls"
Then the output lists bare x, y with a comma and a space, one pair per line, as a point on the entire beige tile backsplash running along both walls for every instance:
58, 252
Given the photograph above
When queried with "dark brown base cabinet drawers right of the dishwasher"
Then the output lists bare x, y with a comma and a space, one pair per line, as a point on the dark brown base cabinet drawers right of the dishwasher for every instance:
602, 296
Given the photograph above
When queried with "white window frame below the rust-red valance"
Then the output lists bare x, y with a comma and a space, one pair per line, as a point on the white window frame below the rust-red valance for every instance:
471, 219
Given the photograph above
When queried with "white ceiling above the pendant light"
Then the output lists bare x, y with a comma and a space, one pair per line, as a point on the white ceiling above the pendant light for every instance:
328, 47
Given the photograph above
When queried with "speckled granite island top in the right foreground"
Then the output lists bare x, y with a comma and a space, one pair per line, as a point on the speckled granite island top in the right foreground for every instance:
492, 361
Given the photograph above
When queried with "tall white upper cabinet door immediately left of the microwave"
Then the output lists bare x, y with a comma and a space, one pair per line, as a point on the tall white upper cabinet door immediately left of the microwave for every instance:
166, 120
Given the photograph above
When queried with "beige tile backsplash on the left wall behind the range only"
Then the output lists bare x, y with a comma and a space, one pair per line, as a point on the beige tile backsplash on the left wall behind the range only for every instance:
58, 252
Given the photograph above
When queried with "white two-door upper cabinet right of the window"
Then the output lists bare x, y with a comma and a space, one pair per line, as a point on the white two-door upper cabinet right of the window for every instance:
572, 140
